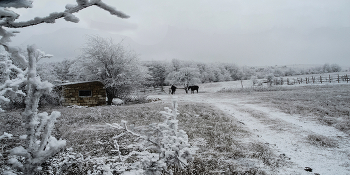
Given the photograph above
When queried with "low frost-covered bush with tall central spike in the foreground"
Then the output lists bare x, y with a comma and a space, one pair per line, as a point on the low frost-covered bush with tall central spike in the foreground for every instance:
159, 145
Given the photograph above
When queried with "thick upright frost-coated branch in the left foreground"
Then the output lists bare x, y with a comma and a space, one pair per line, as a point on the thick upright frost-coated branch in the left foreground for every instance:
40, 145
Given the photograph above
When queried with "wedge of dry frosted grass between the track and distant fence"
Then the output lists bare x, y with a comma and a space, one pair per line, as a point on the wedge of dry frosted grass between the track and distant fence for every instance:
328, 103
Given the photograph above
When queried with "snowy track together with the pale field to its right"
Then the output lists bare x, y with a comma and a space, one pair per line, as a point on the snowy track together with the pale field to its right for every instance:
309, 124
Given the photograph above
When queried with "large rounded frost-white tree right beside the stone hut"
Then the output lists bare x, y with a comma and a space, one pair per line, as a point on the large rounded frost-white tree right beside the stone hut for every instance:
114, 65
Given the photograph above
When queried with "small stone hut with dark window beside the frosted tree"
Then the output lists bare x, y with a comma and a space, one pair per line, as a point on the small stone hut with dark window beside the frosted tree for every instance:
87, 93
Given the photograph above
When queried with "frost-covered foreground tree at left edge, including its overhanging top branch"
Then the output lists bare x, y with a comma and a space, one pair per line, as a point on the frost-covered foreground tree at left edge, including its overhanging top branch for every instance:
39, 145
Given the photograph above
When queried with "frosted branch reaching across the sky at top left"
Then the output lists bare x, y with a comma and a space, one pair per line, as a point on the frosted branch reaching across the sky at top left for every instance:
67, 14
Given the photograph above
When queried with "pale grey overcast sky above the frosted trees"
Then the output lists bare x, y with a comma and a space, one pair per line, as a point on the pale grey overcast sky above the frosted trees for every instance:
245, 32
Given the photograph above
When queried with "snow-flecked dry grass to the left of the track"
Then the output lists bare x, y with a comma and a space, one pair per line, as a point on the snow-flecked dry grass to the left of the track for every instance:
216, 135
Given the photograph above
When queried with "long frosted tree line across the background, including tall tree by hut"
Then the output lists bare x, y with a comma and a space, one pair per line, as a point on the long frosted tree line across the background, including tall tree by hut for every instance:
119, 68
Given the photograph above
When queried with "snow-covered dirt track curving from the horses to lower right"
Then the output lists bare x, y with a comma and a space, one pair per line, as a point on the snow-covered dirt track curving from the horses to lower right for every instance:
286, 134
